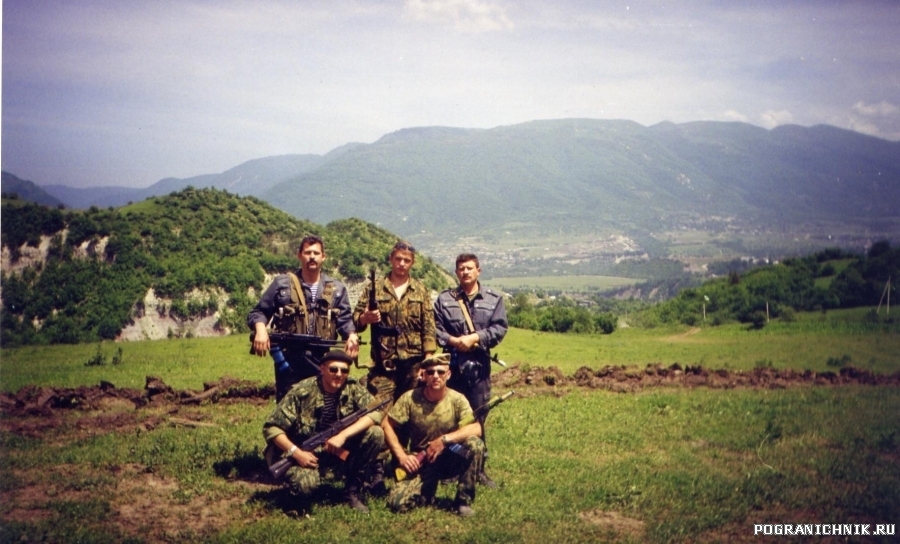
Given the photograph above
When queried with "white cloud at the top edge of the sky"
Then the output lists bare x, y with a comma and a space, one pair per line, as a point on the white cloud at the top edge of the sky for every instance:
465, 15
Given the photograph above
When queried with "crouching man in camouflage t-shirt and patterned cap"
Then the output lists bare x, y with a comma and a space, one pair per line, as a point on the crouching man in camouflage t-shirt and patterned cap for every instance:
431, 416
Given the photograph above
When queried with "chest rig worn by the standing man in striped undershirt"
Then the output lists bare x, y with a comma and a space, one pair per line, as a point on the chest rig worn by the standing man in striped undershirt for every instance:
318, 320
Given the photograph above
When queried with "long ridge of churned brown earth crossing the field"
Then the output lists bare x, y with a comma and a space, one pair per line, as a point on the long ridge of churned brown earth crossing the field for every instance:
47, 401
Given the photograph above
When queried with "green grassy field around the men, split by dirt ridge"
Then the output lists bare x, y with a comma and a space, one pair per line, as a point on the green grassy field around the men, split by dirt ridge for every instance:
661, 465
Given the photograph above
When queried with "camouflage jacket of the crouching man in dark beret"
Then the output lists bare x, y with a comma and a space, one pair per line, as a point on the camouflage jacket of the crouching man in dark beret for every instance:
298, 412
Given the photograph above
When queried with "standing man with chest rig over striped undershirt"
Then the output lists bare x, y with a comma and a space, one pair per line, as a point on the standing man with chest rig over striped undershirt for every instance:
309, 302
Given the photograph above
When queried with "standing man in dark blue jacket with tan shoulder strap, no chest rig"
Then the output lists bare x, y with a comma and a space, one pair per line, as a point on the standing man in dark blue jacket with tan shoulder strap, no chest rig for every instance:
470, 320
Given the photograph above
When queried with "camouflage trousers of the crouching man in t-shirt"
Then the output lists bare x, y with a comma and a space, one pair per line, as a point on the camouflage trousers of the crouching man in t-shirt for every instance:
421, 488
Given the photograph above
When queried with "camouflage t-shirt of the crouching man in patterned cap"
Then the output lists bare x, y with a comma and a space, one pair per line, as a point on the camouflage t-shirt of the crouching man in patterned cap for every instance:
426, 420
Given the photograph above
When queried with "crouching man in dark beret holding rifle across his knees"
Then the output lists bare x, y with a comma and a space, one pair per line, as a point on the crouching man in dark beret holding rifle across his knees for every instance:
313, 405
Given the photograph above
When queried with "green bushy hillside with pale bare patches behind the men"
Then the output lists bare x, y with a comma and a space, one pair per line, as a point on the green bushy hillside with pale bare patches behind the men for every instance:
80, 276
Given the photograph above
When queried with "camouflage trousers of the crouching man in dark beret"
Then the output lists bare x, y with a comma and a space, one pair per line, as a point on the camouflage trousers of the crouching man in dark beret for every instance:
364, 448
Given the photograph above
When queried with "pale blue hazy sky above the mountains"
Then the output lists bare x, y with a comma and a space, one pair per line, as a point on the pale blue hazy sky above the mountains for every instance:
126, 93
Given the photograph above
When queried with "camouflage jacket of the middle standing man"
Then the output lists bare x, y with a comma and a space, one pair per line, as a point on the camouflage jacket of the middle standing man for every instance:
410, 321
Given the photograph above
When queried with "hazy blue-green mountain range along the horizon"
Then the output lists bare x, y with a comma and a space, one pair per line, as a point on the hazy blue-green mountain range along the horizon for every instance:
571, 175
